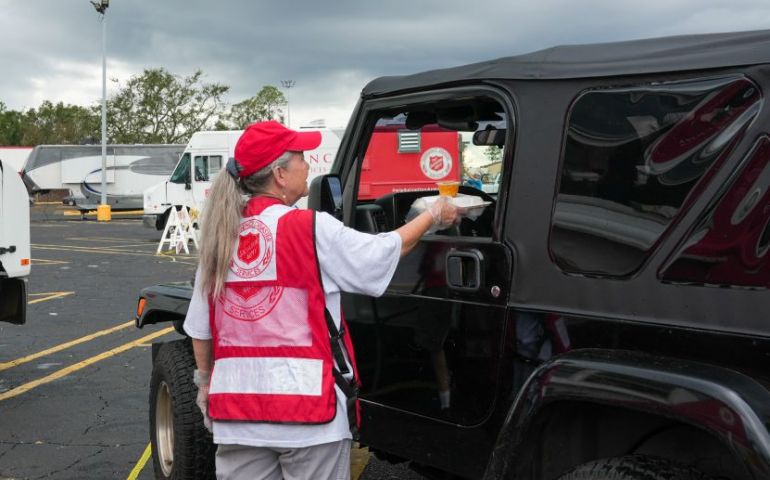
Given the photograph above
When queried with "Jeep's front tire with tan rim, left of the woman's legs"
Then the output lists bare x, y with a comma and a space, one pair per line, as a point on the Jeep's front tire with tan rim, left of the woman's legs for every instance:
182, 448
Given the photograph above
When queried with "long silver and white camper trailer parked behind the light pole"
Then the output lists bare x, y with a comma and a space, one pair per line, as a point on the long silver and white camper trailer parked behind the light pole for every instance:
78, 168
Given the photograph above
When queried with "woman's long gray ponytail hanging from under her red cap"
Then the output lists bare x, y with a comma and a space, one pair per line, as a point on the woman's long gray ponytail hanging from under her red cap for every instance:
220, 220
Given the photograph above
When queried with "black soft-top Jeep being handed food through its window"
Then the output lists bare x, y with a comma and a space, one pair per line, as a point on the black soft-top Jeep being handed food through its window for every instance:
606, 316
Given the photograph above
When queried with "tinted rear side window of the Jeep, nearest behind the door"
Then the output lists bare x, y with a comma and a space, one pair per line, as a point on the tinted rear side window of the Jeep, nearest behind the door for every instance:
633, 159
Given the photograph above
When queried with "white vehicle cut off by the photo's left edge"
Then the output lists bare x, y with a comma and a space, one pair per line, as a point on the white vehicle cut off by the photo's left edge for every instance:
14, 246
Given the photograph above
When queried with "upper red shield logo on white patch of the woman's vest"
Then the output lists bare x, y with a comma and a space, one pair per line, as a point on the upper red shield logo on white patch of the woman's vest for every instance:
255, 249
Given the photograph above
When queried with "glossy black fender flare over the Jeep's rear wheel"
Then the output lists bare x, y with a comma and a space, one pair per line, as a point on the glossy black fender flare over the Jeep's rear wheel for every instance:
730, 405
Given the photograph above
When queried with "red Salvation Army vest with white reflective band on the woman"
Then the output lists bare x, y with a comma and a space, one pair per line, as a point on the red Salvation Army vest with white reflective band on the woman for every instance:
273, 351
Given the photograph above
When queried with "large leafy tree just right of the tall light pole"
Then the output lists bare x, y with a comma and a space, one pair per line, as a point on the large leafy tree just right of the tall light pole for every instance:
160, 107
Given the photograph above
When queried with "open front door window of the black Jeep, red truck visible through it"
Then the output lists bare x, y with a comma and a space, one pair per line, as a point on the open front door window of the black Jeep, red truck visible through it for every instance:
410, 149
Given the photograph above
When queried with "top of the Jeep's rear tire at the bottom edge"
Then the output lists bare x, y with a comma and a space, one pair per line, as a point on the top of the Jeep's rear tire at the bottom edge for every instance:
633, 467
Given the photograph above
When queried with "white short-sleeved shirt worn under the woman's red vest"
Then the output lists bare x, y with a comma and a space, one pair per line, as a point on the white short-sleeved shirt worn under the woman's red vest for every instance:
350, 261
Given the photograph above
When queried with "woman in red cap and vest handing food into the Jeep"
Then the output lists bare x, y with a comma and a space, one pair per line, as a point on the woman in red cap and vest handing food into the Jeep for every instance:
275, 369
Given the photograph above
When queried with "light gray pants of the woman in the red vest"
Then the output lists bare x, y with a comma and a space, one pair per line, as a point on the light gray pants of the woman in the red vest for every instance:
329, 461
